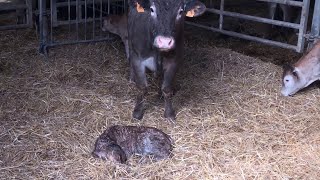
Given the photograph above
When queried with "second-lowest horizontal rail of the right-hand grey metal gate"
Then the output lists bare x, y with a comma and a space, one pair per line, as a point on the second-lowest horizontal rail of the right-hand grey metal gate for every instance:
254, 18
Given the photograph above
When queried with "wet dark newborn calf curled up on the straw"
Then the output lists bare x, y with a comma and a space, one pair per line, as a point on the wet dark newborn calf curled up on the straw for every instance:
120, 142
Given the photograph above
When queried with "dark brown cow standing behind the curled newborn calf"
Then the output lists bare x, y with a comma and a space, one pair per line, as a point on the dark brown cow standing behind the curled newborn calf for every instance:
155, 30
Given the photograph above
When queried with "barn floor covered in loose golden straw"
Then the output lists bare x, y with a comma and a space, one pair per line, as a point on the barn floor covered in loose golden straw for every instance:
231, 122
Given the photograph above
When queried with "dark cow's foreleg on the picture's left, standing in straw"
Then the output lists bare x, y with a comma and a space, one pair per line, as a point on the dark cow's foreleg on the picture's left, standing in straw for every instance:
141, 83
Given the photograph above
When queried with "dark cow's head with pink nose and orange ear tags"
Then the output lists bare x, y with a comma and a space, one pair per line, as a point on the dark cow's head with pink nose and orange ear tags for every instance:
167, 17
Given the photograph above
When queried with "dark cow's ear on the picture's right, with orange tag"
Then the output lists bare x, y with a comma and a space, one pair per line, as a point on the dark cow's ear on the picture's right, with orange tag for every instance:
194, 8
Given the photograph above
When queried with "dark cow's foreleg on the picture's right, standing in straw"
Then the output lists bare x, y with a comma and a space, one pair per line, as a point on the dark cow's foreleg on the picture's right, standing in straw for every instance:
167, 89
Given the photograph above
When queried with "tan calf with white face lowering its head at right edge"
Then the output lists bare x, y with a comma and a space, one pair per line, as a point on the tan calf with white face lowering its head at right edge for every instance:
301, 74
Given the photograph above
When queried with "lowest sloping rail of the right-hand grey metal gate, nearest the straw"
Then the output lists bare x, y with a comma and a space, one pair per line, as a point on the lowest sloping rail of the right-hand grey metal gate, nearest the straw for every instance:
247, 37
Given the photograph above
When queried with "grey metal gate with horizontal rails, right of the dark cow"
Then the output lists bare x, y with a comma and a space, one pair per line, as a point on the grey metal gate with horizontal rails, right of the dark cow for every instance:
301, 27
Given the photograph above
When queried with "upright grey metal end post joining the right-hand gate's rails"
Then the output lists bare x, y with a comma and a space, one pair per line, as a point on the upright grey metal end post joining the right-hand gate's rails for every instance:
303, 25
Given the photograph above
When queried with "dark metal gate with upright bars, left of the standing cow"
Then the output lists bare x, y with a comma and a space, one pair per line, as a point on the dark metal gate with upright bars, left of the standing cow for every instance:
74, 21
